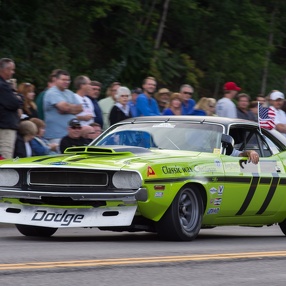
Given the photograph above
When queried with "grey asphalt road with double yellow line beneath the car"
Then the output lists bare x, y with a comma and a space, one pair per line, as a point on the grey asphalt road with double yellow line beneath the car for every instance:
219, 256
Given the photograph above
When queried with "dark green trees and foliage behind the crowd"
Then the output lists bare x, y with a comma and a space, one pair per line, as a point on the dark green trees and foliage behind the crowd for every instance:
204, 42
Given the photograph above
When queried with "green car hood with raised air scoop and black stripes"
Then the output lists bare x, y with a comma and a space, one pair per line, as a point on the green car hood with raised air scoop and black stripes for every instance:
114, 157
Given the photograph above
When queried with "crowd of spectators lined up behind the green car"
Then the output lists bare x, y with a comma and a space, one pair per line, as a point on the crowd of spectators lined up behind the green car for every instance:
58, 118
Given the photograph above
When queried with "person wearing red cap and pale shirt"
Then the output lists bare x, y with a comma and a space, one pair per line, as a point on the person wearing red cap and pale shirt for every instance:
225, 106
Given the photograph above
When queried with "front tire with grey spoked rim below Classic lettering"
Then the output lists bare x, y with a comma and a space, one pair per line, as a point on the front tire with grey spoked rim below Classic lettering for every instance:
183, 219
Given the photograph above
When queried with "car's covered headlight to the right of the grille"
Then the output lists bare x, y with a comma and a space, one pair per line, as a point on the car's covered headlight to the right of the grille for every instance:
126, 180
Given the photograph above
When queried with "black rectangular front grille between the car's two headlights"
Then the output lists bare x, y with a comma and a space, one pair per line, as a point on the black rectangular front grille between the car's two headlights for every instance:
71, 178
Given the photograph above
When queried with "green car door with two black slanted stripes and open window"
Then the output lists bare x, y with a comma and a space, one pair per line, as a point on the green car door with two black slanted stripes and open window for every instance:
249, 190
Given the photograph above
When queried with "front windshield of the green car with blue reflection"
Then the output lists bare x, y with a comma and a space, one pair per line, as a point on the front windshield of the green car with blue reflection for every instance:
173, 136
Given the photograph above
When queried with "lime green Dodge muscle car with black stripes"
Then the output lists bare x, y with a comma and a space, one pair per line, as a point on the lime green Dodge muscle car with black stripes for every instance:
172, 175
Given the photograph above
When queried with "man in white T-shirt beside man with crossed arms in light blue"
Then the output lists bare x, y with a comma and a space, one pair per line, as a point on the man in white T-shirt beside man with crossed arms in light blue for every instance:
82, 86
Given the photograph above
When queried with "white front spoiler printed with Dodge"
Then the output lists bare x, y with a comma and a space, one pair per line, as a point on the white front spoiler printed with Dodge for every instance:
66, 217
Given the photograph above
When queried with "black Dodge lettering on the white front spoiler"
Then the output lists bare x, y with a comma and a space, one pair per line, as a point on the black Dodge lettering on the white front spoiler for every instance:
64, 218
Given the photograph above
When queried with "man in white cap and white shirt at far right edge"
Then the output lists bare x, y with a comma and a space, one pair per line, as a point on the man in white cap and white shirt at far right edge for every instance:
276, 104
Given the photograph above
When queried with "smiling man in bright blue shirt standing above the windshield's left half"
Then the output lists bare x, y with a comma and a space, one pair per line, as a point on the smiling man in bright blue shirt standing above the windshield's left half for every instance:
146, 104
